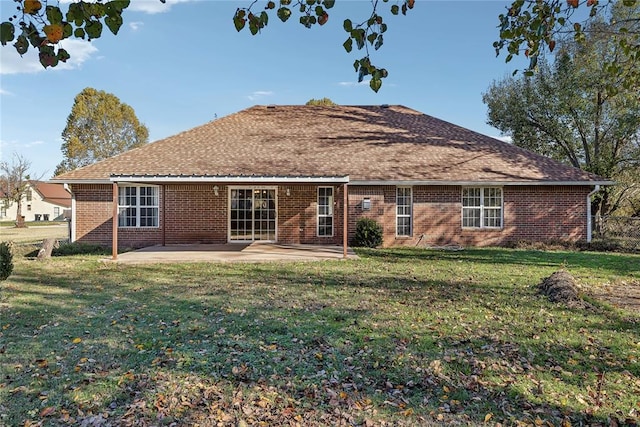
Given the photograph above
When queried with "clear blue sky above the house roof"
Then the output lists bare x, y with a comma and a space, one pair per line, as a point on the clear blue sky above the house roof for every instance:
182, 64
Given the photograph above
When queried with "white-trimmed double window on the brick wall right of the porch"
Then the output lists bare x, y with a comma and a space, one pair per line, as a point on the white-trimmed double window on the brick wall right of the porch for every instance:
482, 207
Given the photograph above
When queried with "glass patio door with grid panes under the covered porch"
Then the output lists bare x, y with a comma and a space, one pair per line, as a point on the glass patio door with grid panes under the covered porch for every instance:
252, 214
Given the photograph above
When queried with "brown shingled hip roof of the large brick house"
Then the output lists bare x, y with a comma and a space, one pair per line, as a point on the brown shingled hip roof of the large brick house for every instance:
367, 143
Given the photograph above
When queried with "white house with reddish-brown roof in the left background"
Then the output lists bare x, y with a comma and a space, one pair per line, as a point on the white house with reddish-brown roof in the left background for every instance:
42, 201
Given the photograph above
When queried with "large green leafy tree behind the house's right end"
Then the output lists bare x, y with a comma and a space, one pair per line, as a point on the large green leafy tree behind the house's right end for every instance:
576, 111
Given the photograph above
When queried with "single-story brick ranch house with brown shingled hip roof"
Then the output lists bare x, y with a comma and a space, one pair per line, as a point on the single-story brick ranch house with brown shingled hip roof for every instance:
285, 174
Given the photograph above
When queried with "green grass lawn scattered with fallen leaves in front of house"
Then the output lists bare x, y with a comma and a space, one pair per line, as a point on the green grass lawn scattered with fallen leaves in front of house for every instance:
398, 337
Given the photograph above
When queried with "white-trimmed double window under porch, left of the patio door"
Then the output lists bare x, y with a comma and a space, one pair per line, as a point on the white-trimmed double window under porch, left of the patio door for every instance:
138, 206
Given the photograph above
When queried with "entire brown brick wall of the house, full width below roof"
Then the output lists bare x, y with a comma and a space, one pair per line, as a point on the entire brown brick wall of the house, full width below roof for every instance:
193, 213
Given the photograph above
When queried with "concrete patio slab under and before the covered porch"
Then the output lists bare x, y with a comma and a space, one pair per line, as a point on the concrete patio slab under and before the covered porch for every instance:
233, 252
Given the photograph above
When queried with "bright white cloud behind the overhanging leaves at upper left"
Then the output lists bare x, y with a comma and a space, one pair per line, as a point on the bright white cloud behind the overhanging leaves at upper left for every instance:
12, 63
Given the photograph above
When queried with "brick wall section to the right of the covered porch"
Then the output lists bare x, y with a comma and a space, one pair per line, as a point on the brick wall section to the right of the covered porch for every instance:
532, 213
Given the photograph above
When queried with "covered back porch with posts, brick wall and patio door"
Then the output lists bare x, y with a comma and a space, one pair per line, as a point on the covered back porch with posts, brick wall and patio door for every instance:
149, 211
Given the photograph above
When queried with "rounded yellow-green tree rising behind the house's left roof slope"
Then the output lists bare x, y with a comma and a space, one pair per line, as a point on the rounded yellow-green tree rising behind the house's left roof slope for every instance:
99, 126
